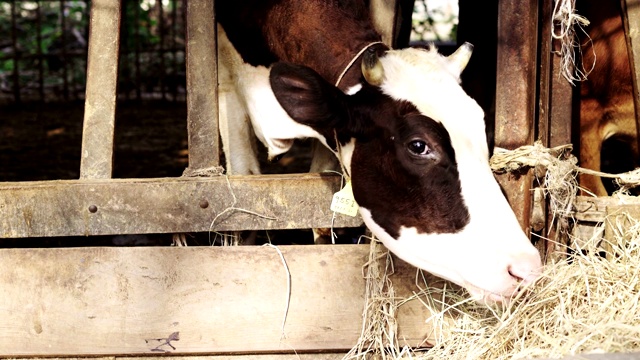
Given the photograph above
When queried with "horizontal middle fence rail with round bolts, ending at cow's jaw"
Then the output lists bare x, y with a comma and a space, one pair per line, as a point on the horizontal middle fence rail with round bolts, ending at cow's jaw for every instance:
169, 205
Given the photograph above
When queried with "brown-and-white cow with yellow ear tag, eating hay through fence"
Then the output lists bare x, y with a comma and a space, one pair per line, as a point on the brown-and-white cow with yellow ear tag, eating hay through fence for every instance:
408, 137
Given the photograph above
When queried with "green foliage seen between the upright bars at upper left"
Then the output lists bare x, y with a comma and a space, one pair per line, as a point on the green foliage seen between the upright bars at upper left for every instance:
53, 35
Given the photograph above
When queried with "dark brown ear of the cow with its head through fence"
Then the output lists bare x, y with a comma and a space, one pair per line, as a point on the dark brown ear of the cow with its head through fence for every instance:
307, 97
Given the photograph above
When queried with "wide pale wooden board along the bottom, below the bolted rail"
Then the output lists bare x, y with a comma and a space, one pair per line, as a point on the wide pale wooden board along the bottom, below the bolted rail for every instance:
209, 300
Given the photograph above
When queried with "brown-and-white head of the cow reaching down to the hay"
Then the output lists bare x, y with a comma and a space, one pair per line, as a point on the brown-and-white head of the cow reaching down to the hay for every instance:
415, 147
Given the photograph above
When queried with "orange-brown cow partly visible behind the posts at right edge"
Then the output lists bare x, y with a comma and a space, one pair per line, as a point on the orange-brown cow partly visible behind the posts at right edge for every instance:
607, 113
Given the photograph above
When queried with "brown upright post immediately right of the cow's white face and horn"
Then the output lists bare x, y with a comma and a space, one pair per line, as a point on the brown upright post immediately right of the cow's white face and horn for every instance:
515, 93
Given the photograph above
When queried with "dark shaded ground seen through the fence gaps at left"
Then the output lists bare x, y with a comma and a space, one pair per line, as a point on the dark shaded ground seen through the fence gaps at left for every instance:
43, 142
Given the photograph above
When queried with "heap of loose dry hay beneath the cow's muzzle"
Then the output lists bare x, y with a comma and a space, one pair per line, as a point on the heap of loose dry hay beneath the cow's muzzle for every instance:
583, 304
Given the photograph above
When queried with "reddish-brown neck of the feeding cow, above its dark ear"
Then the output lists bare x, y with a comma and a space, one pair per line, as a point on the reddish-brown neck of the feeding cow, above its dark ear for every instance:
323, 35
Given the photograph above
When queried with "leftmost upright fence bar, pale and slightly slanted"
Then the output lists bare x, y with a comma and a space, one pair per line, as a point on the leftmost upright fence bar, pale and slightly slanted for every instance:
102, 77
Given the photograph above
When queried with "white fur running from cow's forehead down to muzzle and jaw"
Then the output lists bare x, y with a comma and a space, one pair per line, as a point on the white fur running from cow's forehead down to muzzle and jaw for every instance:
491, 253
